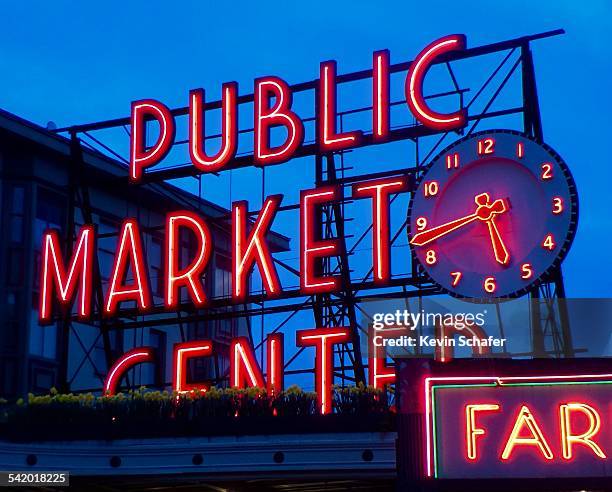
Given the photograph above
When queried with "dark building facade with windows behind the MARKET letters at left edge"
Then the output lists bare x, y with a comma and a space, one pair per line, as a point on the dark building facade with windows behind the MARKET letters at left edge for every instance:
36, 192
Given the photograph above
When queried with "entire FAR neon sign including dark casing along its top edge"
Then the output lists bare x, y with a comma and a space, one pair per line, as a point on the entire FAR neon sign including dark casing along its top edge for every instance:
502, 420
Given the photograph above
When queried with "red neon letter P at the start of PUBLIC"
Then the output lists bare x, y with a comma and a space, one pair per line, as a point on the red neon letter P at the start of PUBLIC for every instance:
140, 157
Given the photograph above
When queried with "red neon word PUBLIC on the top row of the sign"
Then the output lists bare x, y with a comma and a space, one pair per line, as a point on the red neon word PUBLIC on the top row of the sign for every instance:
272, 98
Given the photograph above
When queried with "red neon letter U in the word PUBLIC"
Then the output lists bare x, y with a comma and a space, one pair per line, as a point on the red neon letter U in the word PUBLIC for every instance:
229, 132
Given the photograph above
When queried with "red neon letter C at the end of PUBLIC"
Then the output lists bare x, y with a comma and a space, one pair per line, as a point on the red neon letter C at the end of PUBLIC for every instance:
414, 85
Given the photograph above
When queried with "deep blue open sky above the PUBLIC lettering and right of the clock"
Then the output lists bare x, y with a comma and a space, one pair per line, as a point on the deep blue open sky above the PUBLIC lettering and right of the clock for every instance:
73, 63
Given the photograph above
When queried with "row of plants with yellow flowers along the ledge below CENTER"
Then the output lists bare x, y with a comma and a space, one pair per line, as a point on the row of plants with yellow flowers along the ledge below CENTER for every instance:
143, 412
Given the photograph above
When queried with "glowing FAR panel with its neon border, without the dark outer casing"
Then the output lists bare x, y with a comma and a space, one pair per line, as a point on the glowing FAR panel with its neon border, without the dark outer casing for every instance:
519, 426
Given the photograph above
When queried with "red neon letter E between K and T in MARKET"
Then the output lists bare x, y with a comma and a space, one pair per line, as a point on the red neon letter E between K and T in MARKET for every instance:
311, 249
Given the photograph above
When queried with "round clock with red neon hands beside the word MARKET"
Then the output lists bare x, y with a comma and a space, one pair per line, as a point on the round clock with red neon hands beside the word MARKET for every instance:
492, 214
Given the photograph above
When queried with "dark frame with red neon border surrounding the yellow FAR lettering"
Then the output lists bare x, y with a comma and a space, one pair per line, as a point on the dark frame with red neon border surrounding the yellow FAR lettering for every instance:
415, 377
